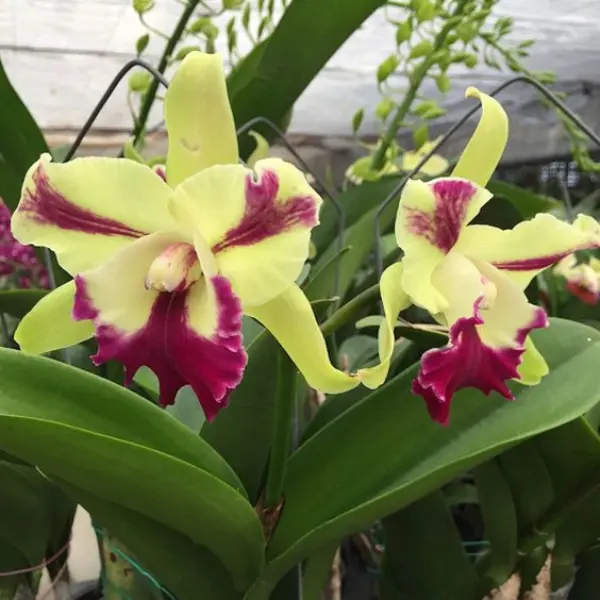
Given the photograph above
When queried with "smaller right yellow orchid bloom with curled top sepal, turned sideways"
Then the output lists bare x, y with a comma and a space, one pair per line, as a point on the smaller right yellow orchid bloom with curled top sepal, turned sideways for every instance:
471, 278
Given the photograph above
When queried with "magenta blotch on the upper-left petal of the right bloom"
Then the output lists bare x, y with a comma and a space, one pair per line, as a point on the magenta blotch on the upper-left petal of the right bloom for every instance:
442, 228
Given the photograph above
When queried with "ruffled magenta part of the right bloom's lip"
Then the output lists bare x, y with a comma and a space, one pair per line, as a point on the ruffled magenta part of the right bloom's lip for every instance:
467, 362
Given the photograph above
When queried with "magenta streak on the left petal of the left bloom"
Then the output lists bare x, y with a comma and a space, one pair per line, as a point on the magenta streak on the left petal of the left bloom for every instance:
47, 206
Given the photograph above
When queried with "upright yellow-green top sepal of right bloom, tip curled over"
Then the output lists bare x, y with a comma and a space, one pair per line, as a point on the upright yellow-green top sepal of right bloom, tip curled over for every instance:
480, 158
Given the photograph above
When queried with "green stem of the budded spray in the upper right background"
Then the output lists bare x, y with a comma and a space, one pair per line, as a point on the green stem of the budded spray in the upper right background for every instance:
415, 83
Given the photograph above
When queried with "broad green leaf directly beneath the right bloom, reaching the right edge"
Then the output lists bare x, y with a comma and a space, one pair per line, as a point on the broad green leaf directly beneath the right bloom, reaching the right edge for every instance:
420, 455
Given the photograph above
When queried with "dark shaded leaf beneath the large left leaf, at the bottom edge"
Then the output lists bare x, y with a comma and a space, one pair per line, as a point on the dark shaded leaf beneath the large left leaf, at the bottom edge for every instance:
183, 567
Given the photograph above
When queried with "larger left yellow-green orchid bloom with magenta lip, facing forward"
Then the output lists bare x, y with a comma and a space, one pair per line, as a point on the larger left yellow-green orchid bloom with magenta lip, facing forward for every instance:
165, 262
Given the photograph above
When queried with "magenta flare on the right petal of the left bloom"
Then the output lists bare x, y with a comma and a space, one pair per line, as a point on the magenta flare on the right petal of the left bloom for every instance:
265, 216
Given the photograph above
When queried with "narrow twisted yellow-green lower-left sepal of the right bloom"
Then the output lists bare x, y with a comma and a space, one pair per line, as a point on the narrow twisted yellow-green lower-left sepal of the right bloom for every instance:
394, 301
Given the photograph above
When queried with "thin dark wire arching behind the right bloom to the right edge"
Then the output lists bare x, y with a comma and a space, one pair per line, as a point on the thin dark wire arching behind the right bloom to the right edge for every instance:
558, 104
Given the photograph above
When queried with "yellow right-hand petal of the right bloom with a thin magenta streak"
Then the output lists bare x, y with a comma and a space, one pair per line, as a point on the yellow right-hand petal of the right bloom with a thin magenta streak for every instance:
530, 247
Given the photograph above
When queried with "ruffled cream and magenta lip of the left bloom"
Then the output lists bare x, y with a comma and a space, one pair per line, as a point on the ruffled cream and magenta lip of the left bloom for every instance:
188, 337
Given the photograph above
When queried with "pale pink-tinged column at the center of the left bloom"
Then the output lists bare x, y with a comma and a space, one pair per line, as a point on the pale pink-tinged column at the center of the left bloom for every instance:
174, 269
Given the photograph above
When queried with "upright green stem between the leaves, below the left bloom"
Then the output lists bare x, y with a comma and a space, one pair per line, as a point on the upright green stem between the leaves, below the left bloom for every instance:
282, 429
